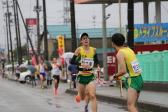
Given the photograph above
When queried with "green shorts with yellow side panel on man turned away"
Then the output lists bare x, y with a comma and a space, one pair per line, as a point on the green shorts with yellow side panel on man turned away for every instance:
134, 82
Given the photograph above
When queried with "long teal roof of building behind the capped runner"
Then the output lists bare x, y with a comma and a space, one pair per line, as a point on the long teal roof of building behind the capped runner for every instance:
65, 30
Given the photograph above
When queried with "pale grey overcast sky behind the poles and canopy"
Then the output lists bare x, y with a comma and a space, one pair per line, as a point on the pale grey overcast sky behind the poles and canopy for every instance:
84, 15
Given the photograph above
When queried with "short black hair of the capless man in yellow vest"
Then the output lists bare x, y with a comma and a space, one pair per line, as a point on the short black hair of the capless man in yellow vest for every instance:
118, 39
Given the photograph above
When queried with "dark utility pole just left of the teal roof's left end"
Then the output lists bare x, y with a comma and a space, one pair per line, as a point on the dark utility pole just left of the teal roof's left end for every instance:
45, 30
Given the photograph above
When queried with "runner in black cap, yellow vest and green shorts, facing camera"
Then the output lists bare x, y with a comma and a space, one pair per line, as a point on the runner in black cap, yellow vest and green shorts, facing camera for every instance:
85, 57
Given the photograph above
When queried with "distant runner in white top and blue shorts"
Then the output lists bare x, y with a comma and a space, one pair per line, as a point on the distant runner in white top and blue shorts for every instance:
42, 67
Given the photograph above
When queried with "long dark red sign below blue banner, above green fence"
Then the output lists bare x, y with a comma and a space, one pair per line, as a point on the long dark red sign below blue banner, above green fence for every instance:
142, 49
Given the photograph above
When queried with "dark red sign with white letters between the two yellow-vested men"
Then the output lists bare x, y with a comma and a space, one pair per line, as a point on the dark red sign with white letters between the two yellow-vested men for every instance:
112, 63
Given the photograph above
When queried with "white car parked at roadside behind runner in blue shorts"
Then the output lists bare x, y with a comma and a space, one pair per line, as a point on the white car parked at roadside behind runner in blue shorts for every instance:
25, 75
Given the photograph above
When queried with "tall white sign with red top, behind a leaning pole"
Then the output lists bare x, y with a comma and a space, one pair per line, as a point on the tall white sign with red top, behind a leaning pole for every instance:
32, 30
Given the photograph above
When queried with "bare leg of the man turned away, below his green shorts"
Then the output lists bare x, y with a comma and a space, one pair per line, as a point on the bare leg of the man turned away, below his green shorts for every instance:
132, 97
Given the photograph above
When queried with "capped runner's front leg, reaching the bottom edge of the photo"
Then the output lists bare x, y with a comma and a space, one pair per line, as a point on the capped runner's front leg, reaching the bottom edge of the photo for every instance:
92, 92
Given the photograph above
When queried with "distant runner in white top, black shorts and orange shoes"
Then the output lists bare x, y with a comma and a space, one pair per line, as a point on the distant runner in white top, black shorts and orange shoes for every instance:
56, 68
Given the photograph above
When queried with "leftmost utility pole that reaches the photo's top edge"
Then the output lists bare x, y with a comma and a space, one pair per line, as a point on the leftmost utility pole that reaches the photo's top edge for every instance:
10, 36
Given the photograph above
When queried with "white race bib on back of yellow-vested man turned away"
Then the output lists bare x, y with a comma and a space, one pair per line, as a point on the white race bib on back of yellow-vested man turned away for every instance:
136, 67
